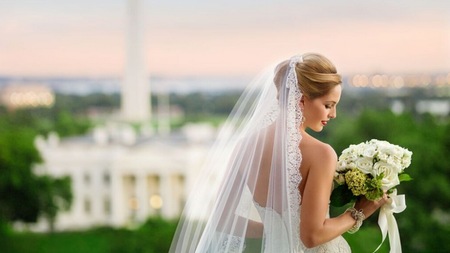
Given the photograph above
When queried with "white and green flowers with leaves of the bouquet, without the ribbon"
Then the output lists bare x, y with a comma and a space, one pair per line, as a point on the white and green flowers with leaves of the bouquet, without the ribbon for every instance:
368, 169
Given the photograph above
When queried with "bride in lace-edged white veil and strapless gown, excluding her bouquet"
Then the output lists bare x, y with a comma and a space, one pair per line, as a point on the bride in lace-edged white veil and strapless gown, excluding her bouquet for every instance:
266, 185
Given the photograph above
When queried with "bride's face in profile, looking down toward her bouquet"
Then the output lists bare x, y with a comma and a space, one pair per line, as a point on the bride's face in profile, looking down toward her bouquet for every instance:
320, 110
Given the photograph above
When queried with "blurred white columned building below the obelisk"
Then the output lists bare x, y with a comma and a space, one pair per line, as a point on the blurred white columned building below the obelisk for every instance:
119, 177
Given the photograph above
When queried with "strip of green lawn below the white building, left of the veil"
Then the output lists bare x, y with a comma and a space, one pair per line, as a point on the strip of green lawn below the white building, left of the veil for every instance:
152, 237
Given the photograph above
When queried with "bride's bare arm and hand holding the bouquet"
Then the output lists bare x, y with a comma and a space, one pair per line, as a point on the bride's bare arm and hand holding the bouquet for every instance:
315, 229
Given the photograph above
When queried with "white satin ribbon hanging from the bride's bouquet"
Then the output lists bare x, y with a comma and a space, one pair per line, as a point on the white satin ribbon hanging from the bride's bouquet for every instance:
387, 222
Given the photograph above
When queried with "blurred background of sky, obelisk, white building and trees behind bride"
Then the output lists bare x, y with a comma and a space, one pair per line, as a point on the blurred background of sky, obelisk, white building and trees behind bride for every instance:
108, 108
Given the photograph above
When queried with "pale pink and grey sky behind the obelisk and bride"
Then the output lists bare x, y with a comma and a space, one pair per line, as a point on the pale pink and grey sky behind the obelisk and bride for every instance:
223, 38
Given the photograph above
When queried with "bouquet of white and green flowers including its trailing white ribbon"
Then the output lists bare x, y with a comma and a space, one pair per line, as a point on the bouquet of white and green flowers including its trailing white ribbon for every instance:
369, 169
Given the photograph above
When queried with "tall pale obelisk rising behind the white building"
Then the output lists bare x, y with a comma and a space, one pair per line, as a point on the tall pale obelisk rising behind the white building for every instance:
135, 104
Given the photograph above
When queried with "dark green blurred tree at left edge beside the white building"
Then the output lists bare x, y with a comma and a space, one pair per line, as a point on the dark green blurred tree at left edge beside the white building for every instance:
24, 196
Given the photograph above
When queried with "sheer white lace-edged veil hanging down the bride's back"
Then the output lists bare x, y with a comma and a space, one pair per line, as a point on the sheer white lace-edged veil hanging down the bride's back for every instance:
246, 198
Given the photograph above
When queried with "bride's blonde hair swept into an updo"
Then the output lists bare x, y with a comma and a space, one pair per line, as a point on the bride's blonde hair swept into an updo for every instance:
316, 75
